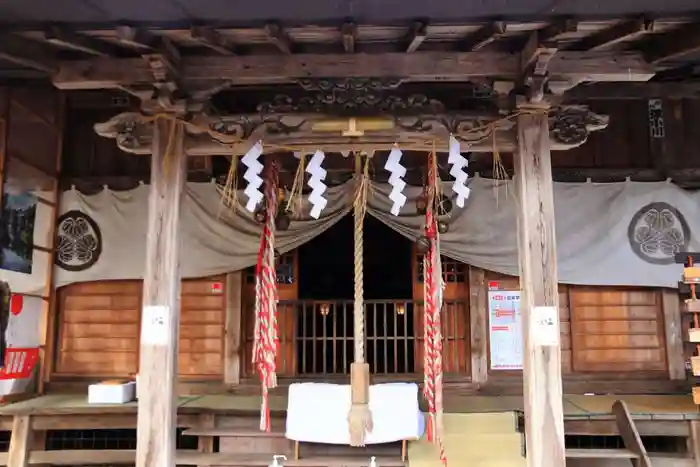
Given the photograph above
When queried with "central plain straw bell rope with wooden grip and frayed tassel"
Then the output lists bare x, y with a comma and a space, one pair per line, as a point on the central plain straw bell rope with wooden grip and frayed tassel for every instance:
360, 416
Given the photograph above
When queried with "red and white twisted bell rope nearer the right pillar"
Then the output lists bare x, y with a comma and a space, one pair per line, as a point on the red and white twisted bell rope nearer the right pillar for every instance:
432, 387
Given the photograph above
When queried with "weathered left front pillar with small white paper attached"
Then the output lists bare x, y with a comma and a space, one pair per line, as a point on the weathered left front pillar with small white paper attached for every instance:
157, 412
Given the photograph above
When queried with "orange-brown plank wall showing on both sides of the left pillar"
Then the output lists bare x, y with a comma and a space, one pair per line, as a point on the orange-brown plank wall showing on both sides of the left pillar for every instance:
99, 329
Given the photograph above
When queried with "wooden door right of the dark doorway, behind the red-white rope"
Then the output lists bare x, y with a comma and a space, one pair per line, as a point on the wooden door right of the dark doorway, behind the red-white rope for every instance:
455, 315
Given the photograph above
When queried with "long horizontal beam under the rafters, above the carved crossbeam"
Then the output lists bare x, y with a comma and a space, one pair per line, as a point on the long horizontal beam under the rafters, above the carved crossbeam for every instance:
418, 66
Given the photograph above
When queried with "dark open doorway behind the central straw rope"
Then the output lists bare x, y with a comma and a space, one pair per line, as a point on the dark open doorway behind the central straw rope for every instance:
326, 288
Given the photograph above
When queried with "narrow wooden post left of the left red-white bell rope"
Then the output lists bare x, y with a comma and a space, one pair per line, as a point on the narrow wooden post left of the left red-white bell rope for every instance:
232, 344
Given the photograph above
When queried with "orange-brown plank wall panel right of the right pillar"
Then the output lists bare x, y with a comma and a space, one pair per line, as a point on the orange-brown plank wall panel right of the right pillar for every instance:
617, 329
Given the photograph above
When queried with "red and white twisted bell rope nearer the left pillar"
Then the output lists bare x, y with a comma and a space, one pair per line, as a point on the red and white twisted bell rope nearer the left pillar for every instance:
266, 334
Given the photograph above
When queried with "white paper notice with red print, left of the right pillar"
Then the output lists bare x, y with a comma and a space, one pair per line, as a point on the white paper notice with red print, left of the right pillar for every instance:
505, 330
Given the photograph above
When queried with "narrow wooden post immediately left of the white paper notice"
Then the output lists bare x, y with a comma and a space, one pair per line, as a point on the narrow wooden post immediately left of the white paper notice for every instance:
478, 308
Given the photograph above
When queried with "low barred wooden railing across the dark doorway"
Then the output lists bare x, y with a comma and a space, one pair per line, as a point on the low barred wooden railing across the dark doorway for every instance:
317, 337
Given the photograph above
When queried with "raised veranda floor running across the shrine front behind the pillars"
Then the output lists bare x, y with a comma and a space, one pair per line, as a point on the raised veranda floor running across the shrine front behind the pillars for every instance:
670, 407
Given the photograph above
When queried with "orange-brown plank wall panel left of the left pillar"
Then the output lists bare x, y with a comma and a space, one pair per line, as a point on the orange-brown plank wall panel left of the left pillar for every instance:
99, 329
